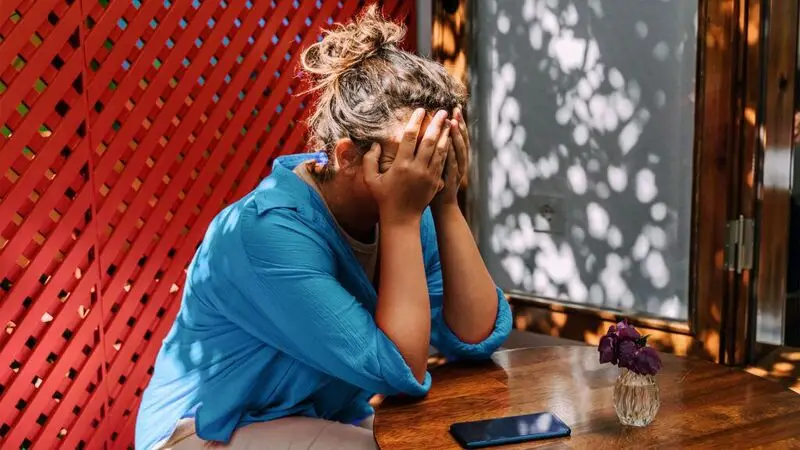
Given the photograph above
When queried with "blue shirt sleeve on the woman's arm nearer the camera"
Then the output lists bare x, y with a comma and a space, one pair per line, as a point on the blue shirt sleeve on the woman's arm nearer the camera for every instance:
295, 304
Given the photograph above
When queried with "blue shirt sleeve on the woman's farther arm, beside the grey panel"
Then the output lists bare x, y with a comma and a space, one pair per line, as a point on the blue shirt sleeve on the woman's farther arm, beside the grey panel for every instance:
442, 337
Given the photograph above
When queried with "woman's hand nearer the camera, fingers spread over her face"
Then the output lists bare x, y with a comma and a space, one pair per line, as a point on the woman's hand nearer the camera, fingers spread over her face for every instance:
408, 186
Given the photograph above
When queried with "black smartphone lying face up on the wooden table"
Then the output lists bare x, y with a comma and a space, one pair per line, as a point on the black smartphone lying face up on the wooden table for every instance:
509, 430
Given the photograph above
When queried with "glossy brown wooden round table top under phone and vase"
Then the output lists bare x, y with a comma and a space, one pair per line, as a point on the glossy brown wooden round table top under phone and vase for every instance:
702, 404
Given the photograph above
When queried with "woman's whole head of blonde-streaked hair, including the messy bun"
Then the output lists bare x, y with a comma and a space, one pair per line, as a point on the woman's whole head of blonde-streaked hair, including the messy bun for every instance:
361, 79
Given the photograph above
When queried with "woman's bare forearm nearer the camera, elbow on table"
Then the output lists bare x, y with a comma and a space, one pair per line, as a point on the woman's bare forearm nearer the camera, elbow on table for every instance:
403, 310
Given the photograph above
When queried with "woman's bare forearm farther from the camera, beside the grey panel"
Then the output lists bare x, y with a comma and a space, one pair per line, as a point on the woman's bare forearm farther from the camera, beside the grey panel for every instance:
470, 296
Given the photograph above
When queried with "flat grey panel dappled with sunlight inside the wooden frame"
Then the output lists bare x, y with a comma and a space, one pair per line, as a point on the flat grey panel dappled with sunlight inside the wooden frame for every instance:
586, 114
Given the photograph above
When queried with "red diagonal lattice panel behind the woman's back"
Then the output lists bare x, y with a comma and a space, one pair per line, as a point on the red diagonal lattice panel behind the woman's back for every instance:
125, 126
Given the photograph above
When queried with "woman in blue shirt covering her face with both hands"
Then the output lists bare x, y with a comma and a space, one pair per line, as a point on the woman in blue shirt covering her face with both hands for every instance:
326, 284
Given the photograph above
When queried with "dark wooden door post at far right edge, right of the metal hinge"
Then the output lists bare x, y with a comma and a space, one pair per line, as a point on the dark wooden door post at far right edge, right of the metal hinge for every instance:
771, 199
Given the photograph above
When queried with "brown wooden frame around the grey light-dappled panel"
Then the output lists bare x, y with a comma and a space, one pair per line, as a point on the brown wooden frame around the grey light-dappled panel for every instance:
719, 310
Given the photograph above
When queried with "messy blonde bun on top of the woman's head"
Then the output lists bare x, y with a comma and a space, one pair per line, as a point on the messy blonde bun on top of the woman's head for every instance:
345, 46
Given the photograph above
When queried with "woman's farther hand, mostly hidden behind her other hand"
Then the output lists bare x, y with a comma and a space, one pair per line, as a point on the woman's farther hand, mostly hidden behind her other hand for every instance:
455, 167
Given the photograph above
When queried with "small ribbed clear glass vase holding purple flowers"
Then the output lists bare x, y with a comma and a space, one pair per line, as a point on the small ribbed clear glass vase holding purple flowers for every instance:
636, 398
